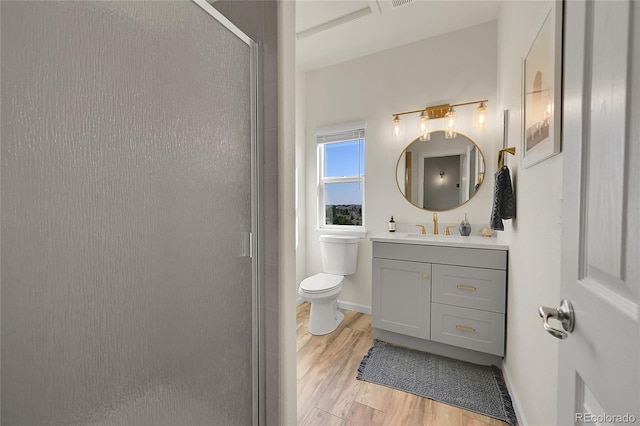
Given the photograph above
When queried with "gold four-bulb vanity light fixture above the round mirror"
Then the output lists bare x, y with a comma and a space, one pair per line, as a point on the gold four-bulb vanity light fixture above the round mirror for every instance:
445, 111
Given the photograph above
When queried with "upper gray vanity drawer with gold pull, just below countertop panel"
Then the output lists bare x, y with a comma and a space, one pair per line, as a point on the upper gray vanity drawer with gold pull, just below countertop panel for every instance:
475, 288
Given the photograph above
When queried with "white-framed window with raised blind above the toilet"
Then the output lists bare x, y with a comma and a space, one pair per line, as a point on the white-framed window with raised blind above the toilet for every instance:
341, 177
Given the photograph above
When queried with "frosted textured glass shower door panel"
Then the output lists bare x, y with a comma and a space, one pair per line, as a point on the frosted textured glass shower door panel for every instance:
127, 289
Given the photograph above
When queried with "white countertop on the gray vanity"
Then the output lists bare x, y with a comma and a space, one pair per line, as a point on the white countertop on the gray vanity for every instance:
472, 241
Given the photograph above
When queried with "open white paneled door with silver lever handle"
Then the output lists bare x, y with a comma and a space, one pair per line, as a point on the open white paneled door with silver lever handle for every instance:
598, 362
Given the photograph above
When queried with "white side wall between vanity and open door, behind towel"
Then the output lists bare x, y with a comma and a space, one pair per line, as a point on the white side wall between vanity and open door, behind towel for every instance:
533, 236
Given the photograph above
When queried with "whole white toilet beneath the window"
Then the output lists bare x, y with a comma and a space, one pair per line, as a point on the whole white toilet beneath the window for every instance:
339, 255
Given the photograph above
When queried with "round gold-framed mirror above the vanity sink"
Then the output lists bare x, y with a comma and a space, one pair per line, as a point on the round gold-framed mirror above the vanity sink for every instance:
440, 174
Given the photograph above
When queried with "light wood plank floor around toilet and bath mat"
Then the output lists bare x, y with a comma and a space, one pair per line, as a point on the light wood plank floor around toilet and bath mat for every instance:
329, 393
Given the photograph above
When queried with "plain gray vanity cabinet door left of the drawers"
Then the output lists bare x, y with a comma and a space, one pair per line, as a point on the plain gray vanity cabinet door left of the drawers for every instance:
402, 297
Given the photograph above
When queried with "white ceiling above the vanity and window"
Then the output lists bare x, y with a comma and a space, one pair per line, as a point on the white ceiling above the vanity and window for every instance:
333, 31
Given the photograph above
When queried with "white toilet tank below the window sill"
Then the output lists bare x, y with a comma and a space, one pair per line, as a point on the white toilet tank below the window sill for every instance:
339, 254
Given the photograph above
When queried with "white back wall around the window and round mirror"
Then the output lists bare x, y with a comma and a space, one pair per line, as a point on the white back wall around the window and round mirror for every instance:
458, 67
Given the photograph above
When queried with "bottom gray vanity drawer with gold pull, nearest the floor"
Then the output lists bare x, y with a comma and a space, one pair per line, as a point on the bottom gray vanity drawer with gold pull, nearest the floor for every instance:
468, 328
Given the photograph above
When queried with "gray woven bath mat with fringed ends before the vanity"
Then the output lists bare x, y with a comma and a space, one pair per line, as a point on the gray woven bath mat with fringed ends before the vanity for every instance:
477, 388
